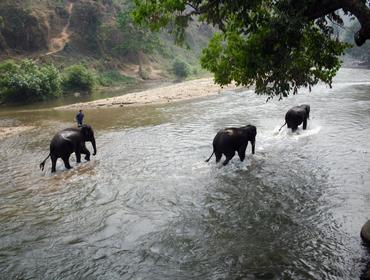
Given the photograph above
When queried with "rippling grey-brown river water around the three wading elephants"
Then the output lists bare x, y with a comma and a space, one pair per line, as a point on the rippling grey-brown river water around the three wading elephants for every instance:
147, 206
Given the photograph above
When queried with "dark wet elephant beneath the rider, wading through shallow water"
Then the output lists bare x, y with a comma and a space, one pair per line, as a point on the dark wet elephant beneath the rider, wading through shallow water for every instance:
67, 141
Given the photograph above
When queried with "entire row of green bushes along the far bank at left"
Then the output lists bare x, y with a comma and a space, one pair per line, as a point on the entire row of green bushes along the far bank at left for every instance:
26, 81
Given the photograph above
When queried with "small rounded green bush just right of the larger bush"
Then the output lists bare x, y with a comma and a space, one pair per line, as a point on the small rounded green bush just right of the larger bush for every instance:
78, 77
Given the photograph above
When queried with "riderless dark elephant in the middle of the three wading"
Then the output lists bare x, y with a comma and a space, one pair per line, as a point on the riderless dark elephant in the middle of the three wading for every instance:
231, 139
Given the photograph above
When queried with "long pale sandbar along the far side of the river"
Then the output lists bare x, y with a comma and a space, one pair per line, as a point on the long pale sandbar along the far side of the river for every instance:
171, 93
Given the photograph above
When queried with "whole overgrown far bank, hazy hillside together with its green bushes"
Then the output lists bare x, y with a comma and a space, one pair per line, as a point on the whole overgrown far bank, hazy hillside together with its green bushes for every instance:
100, 36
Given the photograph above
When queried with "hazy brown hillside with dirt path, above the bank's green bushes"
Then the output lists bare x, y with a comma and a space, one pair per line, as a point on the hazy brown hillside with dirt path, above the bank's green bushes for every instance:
67, 31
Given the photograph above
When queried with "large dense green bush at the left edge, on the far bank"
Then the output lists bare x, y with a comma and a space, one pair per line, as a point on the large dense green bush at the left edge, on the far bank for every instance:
28, 81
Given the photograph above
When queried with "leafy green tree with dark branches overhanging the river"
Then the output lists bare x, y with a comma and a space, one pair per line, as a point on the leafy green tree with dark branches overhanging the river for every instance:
278, 45
